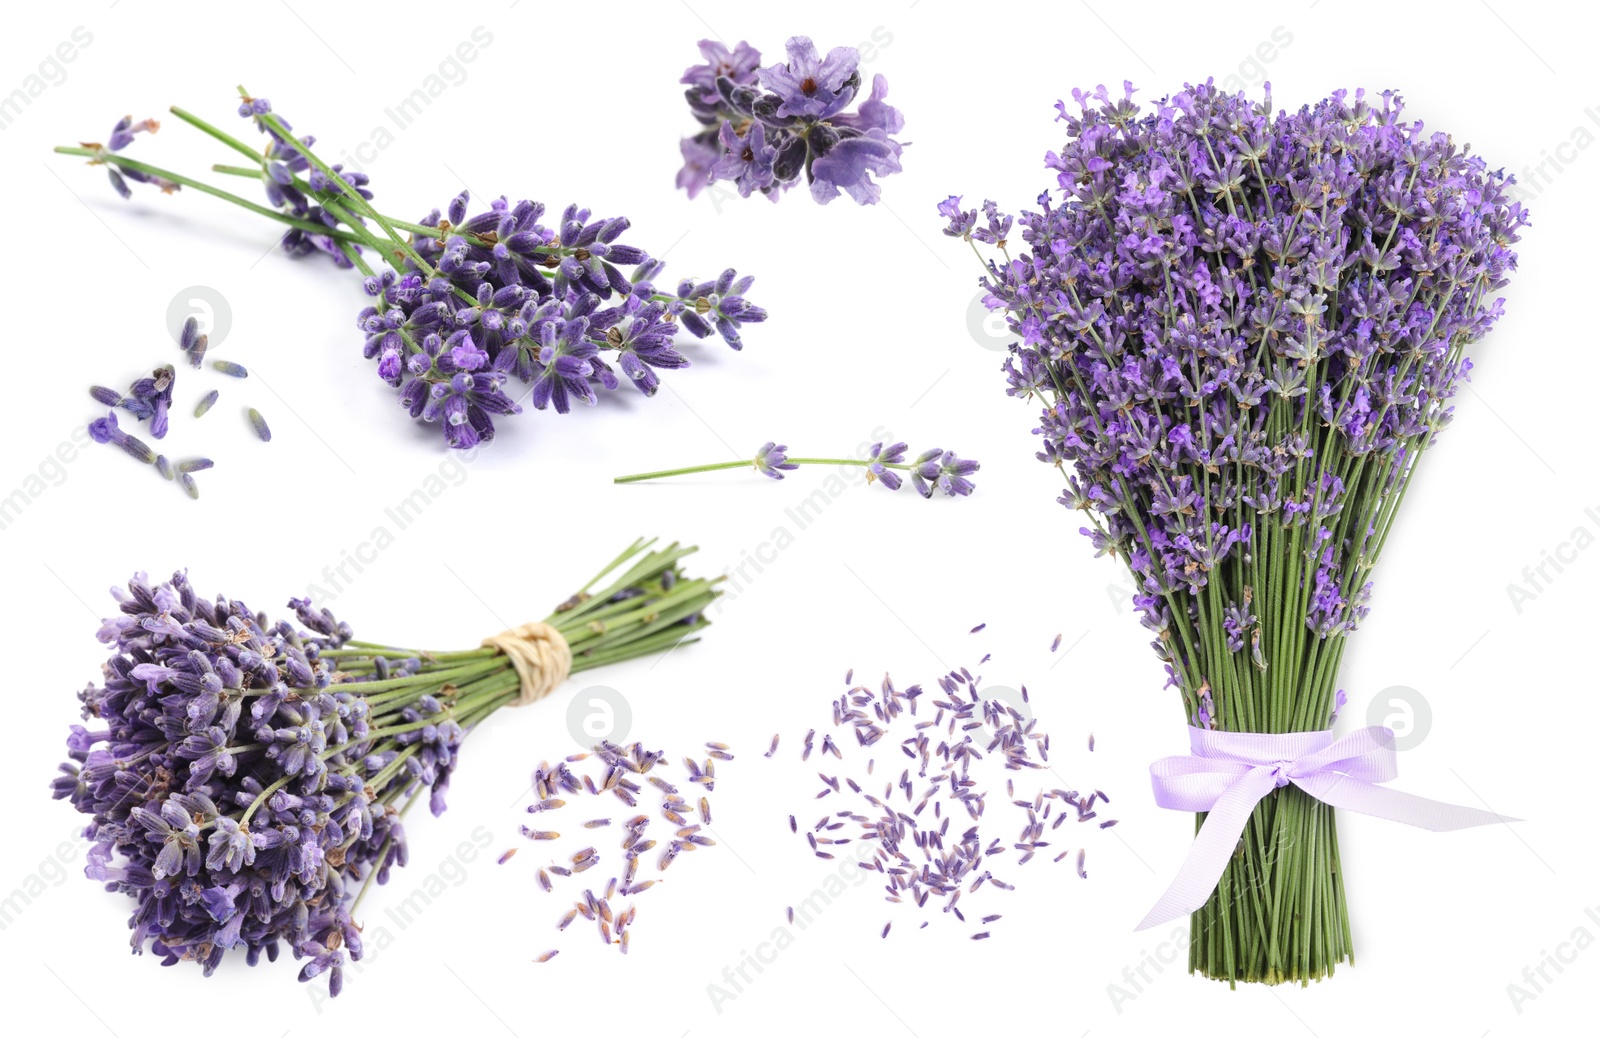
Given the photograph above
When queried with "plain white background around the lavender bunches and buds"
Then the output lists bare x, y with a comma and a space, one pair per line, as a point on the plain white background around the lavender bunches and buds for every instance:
871, 330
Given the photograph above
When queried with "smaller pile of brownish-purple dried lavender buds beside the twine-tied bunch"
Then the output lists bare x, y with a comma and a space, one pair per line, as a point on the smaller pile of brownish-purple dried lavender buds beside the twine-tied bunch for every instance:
625, 777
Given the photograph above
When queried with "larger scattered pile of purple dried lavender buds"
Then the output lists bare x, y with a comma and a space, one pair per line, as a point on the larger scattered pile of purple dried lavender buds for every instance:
932, 832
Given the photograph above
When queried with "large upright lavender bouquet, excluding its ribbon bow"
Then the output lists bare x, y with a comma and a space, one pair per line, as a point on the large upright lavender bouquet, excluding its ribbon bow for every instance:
1246, 329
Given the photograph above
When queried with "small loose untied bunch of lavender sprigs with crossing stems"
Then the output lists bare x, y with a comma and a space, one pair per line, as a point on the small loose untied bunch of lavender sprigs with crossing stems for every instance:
466, 303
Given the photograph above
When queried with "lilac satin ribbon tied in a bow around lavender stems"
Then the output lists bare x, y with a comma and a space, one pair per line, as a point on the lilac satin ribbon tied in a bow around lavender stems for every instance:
1228, 773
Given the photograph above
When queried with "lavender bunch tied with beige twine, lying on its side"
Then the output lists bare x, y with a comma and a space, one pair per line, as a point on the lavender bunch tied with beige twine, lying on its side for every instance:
247, 781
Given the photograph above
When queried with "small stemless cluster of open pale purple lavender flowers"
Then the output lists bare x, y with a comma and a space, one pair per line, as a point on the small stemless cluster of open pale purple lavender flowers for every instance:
766, 129
